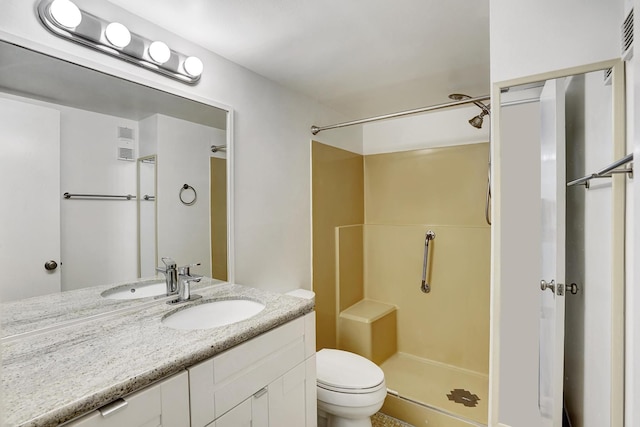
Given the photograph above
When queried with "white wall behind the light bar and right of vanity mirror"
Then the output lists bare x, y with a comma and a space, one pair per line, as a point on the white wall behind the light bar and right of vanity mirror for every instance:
271, 135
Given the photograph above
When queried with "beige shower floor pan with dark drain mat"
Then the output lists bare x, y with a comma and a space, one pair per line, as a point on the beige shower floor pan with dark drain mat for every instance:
431, 384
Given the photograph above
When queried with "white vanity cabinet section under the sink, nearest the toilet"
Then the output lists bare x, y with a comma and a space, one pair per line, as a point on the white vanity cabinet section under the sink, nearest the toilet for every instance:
267, 381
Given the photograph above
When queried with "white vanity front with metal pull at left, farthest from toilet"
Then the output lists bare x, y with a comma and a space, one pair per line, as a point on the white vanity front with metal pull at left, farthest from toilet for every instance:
164, 404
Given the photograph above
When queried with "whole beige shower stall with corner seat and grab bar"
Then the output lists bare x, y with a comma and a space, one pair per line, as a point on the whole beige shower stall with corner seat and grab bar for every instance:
401, 266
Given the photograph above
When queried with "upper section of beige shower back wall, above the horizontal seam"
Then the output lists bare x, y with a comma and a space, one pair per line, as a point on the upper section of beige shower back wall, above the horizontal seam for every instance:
435, 186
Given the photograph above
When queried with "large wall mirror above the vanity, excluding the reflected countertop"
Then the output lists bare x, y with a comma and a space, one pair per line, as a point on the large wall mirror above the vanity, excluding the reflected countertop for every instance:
103, 177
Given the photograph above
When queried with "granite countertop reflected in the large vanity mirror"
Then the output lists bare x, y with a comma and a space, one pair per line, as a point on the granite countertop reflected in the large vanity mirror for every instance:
47, 311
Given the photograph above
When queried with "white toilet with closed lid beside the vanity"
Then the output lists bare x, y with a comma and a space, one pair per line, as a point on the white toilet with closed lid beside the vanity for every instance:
350, 388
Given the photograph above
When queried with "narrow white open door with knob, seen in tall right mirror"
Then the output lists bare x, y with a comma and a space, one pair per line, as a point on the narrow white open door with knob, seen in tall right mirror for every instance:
552, 193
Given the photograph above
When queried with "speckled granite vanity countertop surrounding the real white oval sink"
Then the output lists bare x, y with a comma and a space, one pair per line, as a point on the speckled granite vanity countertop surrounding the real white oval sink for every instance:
52, 377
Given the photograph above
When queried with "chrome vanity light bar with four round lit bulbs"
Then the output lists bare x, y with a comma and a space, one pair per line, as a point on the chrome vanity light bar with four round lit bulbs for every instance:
64, 19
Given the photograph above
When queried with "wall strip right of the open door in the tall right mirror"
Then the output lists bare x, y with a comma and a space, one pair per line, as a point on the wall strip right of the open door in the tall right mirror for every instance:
588, 314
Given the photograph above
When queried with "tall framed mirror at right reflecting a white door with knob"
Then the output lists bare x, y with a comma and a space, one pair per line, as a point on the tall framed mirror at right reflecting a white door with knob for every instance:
560, 152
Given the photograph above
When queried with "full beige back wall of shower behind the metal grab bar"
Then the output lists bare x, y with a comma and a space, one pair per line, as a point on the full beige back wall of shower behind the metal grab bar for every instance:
406, 194
